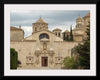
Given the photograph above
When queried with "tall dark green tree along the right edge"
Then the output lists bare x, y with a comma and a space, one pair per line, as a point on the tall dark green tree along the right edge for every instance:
84, 51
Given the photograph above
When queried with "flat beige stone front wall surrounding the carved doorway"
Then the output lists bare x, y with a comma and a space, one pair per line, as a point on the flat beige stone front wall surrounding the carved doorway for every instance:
27, 49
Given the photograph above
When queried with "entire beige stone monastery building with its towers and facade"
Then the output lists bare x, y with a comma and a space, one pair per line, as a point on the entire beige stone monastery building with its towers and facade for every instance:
45, 49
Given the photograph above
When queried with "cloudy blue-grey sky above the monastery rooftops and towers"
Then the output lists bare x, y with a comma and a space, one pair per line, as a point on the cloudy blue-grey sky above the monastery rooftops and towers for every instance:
61, 19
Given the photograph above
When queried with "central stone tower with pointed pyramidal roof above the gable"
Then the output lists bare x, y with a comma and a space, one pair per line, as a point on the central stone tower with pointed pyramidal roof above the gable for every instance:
39, 25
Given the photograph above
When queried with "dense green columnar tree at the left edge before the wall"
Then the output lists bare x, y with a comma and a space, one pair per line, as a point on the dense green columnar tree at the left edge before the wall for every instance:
13, 58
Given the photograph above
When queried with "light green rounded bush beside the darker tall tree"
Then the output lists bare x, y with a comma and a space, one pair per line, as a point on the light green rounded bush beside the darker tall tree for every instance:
70, 63
